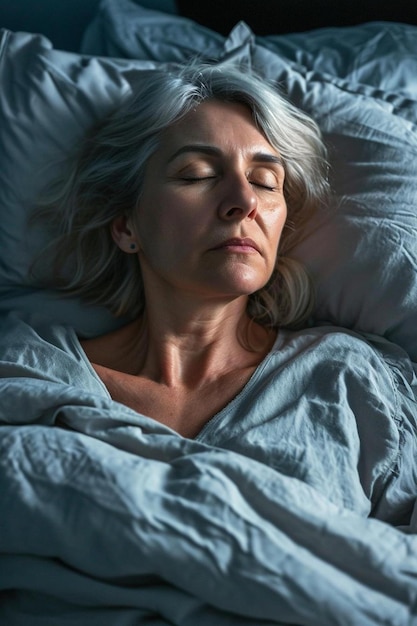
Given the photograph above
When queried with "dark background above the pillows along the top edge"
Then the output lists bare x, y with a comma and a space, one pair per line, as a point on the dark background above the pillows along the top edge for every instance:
64, 21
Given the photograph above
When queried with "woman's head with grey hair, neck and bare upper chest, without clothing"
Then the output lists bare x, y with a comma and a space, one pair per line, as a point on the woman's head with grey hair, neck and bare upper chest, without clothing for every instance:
176, 213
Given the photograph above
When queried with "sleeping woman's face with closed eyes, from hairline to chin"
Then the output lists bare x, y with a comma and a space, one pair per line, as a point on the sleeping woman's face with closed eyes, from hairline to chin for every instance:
213, 208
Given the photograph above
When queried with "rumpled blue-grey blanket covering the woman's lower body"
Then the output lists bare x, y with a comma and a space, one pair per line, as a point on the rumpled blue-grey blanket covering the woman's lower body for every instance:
109, 518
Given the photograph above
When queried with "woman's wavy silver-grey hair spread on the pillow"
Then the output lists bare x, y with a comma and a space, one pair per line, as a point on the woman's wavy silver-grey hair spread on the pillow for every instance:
106, 179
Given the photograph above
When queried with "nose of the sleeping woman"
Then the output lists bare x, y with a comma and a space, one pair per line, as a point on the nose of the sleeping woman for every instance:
238, 199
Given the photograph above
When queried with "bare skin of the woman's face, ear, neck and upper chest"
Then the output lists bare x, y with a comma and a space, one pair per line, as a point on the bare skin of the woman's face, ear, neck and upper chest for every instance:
195, 348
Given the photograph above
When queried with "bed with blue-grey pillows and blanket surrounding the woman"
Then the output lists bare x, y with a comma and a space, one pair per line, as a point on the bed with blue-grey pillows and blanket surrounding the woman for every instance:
121, 522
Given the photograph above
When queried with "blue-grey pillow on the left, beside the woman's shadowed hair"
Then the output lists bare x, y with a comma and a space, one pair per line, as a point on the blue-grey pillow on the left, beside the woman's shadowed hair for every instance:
48, 99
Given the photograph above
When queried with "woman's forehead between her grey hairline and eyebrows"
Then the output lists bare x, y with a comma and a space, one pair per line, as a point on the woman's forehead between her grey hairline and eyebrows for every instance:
227, 125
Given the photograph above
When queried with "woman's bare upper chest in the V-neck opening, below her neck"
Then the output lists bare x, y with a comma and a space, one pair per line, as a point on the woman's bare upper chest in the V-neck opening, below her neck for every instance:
184, 410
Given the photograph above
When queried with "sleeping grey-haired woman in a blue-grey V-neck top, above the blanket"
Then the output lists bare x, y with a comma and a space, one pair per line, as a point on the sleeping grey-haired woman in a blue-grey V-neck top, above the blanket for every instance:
179, 214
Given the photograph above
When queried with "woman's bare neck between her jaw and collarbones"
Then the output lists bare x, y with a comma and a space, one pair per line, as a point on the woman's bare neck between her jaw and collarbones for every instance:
185, 344
